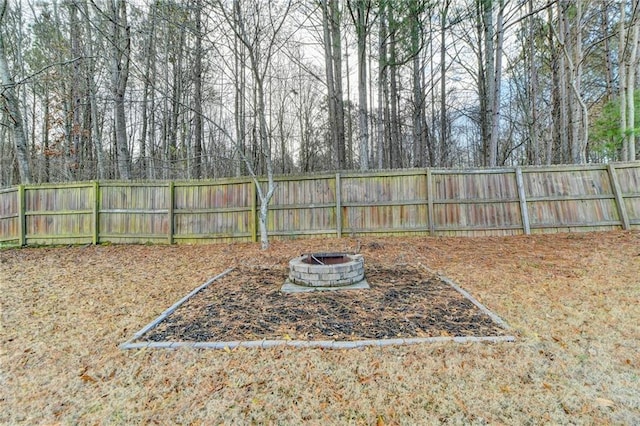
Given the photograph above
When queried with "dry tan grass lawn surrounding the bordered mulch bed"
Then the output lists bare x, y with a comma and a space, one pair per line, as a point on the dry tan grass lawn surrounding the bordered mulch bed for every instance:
573, 300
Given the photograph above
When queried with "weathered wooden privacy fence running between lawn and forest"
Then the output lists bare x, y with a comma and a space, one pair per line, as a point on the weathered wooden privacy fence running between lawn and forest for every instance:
504, 201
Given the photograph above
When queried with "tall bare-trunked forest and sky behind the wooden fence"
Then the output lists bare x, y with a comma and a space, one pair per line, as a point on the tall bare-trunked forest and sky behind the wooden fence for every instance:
115, 89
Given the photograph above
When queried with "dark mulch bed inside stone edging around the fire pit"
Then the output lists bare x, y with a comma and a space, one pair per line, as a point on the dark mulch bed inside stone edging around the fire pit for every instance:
247, 304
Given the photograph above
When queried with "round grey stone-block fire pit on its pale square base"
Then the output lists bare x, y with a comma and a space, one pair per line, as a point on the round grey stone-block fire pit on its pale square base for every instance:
325, 271
